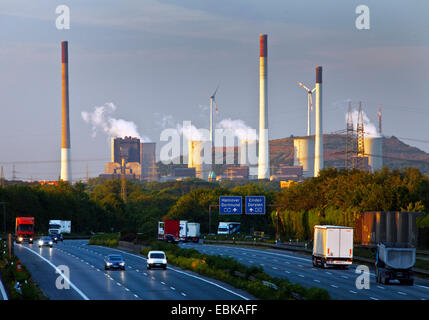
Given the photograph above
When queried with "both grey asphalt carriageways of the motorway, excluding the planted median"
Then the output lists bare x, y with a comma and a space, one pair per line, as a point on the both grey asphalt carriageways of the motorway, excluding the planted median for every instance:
86, 278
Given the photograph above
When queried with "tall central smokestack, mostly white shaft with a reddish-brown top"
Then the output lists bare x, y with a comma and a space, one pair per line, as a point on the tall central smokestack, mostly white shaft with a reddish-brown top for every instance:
264, 156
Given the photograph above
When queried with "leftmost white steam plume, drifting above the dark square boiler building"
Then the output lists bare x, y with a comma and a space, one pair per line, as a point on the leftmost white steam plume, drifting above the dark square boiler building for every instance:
100, 119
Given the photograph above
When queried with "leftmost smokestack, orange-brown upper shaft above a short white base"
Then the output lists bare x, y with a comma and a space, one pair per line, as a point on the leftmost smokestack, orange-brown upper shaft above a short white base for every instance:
65, 123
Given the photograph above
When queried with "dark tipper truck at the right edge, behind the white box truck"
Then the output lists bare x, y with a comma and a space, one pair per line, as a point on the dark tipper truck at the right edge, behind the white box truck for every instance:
395, 261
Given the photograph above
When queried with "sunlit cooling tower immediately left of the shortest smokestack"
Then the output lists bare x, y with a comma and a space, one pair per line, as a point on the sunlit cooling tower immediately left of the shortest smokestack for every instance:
304, 155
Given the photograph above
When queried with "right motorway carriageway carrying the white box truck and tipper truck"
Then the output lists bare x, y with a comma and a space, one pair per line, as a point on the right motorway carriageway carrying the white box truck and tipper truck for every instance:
298, 268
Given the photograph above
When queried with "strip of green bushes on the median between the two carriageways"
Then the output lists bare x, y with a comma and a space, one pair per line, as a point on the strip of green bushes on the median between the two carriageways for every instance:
251, 279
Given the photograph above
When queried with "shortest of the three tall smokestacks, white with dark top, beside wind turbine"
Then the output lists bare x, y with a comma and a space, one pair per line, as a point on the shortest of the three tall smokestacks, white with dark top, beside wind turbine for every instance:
318, 150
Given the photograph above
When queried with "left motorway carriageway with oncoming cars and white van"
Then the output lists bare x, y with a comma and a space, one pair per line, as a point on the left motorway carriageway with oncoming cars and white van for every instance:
88, 280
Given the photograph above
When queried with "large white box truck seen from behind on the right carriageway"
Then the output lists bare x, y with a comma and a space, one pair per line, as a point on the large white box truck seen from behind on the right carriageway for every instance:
332, 246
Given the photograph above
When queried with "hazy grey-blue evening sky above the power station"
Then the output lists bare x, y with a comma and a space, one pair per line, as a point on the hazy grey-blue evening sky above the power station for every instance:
158, 61
